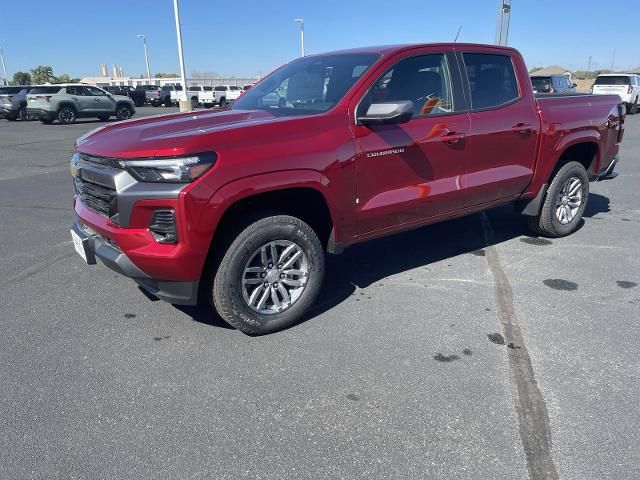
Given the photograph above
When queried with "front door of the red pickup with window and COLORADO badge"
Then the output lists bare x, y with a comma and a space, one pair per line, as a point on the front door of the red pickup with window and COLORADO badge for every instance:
410, 172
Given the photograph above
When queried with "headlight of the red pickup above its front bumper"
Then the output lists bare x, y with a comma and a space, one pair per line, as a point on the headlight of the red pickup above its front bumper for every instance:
172, 170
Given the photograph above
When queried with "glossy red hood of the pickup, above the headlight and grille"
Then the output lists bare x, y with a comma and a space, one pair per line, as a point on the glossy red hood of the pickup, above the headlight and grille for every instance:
167, 135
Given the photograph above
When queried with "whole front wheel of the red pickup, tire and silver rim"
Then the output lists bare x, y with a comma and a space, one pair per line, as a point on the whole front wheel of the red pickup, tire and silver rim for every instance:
269, 276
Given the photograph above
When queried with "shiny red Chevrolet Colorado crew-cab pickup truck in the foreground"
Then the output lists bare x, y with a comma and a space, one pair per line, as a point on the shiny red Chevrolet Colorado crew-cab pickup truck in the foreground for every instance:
239, 206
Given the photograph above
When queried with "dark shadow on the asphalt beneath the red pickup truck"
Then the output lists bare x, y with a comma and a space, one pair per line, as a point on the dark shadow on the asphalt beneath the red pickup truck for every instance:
363, 265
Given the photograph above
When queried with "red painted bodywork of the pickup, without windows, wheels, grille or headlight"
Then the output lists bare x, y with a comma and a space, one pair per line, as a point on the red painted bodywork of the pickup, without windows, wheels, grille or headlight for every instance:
367, 195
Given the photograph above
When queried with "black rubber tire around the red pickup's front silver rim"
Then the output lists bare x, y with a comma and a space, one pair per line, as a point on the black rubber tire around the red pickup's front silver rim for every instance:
227, 292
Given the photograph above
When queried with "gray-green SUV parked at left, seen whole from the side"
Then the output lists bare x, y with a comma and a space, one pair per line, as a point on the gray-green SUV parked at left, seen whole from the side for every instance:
68, 102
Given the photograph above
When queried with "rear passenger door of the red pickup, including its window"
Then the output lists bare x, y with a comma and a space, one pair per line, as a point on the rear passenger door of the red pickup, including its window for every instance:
504, 126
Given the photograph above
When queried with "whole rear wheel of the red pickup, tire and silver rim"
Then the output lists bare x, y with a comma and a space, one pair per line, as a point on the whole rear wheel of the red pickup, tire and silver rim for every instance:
564, 203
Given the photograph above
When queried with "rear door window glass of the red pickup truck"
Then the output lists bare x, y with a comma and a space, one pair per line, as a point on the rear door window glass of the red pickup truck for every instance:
492, 80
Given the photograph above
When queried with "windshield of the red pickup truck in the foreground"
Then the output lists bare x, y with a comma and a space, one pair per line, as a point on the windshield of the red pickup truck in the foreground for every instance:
309, 85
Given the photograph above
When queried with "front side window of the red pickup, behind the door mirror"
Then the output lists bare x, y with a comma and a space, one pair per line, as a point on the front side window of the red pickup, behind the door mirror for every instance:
424, 80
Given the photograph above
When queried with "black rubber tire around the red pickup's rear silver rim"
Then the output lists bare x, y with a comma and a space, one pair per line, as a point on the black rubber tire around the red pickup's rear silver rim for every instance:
548, 223
